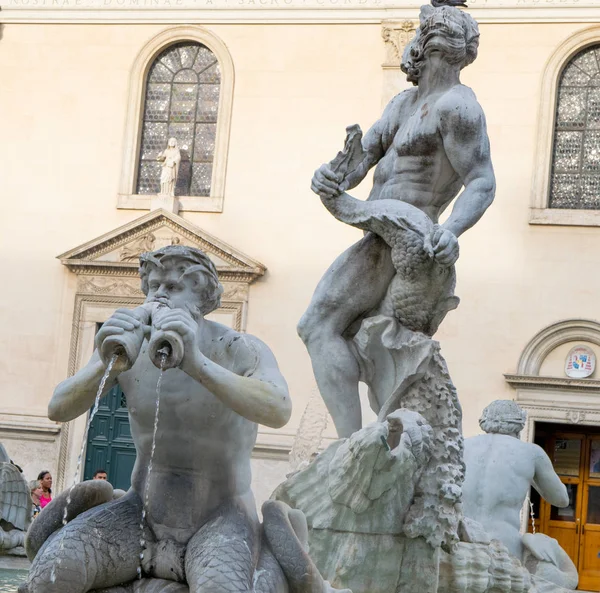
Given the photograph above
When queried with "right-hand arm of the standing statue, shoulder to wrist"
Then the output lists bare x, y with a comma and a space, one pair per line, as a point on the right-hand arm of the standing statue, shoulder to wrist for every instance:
467, 147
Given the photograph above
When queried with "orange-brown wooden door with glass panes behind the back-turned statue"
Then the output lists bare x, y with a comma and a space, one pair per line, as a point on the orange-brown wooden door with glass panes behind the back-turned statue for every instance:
576, 459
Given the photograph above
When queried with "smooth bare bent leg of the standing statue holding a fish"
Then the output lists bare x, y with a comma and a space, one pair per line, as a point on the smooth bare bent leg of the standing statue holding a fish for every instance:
353, 285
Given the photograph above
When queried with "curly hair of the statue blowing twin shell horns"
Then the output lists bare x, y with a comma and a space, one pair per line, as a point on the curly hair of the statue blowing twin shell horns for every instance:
194, 263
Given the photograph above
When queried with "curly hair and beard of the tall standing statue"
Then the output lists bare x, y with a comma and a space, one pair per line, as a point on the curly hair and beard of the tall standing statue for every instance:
444, 28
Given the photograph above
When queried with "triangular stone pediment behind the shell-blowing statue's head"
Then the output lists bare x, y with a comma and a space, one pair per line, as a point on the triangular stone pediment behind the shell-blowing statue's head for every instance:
116, 253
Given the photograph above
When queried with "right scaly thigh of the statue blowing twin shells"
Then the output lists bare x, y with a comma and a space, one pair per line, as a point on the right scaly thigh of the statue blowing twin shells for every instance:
222, 556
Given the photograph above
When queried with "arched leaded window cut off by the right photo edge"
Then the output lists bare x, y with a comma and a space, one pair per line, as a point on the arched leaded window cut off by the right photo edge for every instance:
575, 181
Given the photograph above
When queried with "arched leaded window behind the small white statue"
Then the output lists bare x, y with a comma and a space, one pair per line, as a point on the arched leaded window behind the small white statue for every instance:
181, 101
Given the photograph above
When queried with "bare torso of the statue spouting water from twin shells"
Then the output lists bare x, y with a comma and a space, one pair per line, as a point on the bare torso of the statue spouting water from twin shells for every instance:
202, 456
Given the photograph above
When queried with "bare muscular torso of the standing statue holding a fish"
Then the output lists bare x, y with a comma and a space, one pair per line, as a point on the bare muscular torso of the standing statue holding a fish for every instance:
415, 168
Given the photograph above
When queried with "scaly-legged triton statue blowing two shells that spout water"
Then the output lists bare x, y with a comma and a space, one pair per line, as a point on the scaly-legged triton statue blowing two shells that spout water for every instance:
201, 532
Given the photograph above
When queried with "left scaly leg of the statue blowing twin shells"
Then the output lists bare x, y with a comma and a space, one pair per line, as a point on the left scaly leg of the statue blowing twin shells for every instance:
99, 548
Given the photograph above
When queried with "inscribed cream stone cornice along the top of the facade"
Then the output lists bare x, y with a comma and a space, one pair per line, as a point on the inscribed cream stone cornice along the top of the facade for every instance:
207, 12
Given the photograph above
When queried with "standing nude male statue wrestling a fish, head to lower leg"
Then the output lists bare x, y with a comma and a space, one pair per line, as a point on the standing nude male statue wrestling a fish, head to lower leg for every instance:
430, 142
